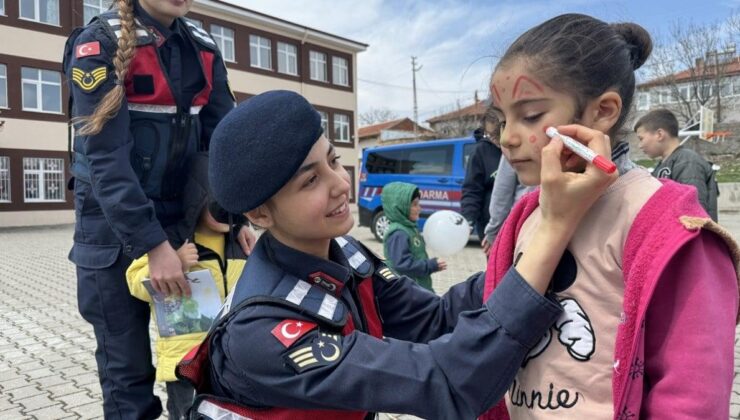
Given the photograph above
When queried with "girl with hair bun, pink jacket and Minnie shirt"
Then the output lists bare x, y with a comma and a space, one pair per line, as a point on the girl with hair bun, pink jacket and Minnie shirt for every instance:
647, 282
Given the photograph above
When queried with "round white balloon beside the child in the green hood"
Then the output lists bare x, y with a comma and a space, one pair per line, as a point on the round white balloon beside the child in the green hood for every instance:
446, 232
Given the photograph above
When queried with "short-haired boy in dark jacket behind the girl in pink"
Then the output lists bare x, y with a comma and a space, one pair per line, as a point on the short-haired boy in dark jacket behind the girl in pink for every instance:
658, 134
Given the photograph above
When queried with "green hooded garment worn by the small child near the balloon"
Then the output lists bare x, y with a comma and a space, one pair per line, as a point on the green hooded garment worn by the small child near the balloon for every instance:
396, 197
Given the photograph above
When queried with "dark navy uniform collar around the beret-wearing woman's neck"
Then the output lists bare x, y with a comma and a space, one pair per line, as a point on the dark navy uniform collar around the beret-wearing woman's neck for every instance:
330, 275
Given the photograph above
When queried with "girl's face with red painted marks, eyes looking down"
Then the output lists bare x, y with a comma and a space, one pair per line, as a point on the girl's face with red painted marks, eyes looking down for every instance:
526, 106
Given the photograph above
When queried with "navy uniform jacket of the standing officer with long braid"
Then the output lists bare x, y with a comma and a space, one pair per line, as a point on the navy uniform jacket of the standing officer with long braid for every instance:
112, 207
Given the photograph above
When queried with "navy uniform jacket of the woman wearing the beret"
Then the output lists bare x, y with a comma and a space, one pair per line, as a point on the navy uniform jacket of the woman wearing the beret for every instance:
449, 357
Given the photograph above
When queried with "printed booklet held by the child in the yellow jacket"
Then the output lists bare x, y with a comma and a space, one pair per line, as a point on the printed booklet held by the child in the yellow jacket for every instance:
178, 315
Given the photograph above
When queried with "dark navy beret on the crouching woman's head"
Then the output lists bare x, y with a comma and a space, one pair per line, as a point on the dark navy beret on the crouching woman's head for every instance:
258, 147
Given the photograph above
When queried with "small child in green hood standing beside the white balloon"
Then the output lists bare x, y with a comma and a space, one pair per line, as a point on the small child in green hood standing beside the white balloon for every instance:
403, 244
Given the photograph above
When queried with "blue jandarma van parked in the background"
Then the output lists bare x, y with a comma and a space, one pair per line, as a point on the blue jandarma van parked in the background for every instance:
437, 167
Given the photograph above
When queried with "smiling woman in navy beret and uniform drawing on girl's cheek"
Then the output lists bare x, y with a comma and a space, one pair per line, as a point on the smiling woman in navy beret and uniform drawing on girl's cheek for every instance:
317, 327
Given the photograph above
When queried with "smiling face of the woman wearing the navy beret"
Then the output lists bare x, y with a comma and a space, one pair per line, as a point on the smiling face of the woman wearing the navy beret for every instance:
313, 207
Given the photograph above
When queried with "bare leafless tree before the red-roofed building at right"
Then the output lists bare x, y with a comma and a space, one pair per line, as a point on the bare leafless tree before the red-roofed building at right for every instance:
703, 52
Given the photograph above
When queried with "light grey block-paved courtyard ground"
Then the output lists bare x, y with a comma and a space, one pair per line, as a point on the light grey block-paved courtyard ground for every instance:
47, 367
